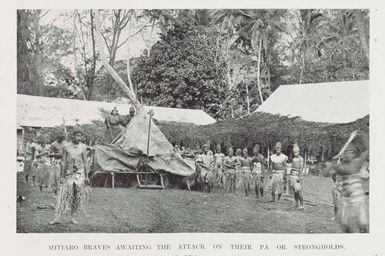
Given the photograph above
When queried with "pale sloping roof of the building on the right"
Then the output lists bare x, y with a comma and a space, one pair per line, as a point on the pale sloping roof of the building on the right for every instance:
338, 102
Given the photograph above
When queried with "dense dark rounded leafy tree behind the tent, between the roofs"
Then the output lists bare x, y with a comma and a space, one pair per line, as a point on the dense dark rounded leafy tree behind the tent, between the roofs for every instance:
183, 71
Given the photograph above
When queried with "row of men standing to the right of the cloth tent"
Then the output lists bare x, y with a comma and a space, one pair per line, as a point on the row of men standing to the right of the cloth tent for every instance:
245, 172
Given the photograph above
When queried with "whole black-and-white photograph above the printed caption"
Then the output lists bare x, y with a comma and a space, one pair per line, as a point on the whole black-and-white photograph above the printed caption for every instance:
193, 121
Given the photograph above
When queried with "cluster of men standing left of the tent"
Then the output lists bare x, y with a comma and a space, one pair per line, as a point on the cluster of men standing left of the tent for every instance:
61, 166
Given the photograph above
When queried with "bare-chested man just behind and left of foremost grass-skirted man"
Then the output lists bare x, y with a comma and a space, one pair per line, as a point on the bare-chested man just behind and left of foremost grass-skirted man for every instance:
57, 149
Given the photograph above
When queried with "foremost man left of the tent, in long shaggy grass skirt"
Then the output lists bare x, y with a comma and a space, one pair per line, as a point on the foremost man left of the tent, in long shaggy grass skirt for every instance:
74, 191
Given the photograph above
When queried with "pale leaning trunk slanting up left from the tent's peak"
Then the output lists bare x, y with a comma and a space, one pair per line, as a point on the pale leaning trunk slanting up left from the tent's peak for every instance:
99, 43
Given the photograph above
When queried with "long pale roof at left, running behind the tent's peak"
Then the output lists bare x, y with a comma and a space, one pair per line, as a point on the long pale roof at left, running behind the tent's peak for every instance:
37, 111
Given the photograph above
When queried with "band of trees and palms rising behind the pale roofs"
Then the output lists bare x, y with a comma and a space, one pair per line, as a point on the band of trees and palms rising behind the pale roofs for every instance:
226, 62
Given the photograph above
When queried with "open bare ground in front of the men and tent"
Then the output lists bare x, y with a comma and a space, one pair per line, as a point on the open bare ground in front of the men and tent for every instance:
133, 210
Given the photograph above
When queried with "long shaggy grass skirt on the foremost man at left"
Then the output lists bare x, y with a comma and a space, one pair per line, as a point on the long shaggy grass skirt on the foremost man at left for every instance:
74, 194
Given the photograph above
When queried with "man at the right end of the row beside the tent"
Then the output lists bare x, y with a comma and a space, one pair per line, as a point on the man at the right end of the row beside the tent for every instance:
295, 177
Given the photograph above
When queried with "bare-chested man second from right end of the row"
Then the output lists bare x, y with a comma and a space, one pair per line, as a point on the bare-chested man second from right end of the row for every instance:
278, 168
